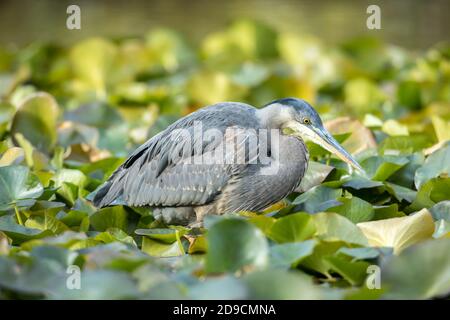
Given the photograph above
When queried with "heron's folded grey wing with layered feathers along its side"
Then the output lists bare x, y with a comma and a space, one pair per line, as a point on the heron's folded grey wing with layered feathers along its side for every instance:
177, 171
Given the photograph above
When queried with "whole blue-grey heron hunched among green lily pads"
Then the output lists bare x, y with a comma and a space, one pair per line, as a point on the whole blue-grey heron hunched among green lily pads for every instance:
177, 173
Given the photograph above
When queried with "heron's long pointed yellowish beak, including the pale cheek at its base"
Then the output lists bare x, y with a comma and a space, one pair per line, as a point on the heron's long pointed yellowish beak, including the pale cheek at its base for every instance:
324, 139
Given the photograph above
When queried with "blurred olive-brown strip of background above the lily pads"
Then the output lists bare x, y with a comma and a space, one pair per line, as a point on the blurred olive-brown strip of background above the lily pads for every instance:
411, 23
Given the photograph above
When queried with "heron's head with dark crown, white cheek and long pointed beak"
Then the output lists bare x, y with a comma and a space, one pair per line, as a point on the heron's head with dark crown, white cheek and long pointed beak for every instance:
298, 118
